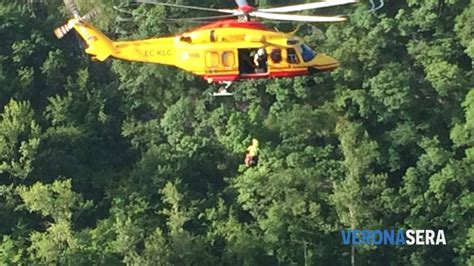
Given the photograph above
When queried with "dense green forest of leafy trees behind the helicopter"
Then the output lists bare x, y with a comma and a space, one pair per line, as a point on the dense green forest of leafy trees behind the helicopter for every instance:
123, 163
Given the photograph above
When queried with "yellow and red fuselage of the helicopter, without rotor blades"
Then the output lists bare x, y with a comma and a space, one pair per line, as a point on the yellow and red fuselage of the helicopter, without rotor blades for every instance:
219, 52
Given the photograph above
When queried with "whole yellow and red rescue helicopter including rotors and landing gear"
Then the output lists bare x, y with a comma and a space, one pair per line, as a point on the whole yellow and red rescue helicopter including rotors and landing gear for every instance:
236, 47
